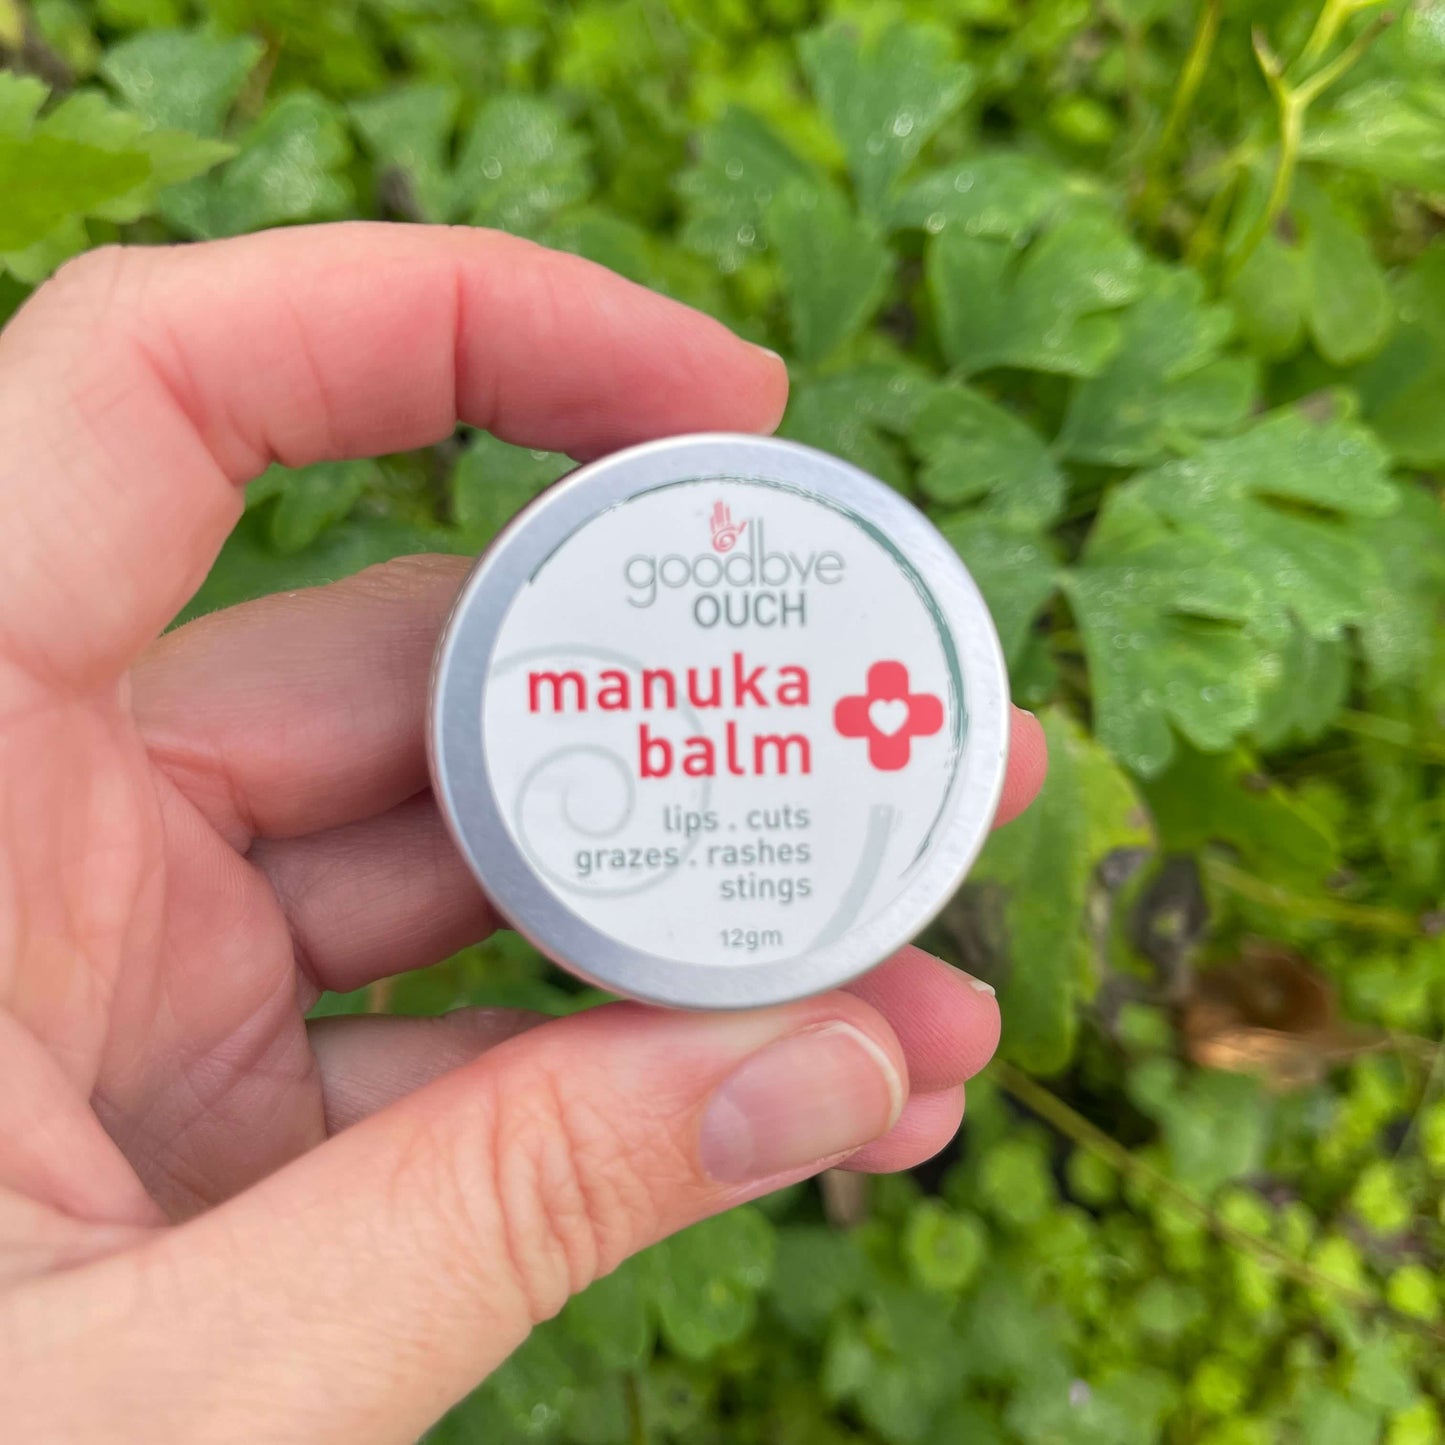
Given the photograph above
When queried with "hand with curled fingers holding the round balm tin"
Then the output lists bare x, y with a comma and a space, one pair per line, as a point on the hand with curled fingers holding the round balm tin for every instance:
217, 1222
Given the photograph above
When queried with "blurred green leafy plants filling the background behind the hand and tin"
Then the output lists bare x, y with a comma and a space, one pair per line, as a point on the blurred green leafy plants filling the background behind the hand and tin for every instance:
1145, 303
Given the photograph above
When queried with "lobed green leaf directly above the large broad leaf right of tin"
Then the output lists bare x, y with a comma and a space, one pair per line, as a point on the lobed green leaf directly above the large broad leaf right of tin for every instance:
1167, 387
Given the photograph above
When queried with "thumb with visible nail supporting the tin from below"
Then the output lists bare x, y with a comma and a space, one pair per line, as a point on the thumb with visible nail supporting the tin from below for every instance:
359, 1293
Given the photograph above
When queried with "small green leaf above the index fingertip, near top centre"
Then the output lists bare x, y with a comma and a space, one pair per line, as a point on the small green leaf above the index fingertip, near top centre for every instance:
742, 165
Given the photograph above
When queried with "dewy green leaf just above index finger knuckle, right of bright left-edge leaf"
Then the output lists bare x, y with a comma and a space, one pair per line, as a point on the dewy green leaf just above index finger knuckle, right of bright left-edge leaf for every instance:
291, 168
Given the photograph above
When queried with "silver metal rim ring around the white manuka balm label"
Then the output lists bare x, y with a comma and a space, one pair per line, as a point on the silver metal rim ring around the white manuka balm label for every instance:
472, 810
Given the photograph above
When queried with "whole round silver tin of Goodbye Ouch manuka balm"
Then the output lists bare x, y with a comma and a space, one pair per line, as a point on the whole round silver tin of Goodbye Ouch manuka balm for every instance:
719, 722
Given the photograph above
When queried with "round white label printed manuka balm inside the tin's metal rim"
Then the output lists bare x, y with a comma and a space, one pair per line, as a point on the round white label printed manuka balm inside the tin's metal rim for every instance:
725, 722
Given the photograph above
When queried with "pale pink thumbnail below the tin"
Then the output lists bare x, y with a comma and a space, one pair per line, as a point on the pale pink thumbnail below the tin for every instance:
806, 1099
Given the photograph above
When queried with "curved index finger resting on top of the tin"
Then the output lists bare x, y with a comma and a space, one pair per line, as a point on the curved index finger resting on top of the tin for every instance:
141, 387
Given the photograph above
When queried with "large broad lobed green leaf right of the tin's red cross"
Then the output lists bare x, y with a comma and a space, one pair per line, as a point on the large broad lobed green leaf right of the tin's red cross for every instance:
1157, 608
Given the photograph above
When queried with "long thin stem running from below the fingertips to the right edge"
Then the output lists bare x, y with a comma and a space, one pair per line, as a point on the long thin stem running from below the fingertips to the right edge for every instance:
1074, 1126
